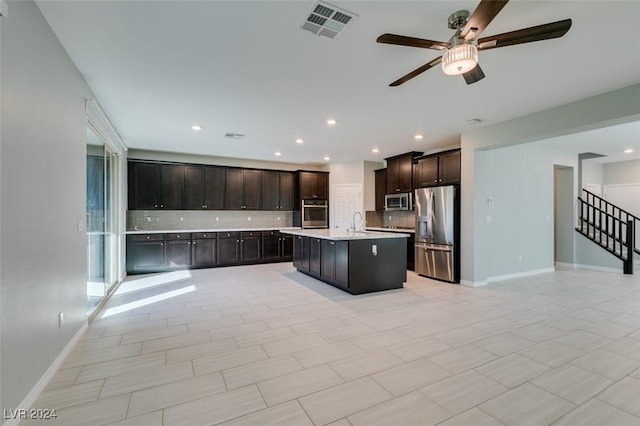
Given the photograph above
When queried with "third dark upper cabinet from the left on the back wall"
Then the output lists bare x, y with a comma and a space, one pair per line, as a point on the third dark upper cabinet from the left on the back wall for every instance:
243, 189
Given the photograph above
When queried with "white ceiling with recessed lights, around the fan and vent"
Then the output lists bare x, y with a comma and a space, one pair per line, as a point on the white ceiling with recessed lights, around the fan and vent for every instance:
157, 67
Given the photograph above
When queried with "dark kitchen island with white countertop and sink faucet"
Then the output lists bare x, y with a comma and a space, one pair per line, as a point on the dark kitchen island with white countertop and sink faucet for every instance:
356, 262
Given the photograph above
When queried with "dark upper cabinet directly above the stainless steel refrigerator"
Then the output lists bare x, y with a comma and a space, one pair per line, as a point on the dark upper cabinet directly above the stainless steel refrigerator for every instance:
438, 169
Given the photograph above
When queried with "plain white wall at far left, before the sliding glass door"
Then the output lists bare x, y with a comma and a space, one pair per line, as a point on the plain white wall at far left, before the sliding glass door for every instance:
43, 182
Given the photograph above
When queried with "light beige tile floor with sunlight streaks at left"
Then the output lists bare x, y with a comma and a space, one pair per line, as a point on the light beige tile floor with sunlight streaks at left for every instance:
266, 345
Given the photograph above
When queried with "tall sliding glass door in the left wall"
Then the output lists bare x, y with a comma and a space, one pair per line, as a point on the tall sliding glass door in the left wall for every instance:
101, 236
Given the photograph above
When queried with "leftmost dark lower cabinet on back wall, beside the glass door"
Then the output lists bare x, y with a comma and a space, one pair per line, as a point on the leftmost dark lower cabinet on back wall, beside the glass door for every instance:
145, 253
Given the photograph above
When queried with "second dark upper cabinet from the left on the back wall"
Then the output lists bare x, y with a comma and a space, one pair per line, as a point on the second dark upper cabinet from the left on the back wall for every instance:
203, 187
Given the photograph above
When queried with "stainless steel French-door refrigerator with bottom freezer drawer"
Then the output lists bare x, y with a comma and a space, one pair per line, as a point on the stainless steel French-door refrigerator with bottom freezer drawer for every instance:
437, 229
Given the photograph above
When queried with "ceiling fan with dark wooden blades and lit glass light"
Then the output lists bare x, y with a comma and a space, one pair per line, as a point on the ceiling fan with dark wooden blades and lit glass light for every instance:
461, 51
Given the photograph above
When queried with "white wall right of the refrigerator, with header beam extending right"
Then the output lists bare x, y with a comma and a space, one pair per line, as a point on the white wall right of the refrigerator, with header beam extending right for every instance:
479, 261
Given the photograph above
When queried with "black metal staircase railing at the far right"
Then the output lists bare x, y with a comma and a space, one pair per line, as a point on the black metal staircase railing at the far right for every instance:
611, 227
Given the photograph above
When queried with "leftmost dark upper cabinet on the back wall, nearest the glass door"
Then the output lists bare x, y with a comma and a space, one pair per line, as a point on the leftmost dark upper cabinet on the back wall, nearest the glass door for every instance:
155, 186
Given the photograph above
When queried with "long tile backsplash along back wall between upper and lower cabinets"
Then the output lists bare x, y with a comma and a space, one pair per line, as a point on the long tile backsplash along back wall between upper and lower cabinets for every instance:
177, 220
